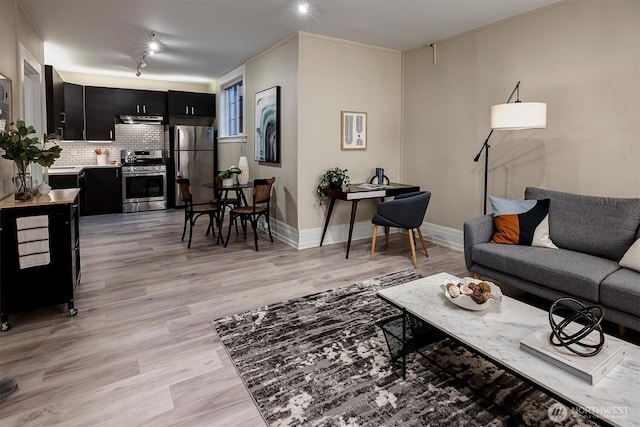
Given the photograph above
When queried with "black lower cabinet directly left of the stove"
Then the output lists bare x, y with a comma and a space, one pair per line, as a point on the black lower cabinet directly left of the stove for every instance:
103, 191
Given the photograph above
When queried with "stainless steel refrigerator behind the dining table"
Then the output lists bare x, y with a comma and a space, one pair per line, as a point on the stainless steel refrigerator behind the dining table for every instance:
193, 155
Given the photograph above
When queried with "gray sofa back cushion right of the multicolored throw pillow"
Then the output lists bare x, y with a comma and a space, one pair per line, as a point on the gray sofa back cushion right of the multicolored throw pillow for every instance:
600, 226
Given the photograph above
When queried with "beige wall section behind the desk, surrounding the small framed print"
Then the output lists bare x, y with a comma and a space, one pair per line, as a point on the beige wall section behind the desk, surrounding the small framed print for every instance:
337, 75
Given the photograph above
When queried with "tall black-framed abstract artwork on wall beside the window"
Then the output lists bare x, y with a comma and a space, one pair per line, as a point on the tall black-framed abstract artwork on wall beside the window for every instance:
267, 121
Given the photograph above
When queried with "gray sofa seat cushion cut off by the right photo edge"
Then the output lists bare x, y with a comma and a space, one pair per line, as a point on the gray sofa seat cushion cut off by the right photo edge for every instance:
621, 291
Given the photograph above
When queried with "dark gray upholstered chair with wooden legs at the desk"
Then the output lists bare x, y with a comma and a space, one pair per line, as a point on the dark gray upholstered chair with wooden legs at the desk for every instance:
405, 211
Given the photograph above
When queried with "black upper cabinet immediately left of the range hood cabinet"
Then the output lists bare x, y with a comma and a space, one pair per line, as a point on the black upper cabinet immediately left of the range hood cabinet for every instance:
99, 113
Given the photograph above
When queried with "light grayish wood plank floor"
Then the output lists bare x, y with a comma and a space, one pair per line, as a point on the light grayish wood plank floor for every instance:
141, 350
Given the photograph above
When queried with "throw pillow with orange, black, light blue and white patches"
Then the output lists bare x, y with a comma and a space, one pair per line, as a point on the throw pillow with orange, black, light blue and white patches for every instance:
521, 222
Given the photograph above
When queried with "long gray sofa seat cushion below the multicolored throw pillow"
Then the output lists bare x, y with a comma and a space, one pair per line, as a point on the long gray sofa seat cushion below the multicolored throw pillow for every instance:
571, 272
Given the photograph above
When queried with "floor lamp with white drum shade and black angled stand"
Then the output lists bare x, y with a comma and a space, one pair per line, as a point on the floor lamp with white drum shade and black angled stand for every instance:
517, 115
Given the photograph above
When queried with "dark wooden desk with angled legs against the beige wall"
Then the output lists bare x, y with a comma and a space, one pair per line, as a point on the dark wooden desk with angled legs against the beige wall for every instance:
354, 194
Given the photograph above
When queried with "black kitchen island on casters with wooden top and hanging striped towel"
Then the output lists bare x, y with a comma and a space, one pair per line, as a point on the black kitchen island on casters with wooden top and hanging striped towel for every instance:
45, 270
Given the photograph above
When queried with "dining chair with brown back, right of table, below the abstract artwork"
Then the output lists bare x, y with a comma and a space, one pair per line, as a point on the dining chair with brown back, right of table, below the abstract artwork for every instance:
259, 207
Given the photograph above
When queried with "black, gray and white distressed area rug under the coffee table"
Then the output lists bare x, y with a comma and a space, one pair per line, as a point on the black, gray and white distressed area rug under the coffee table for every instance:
320, 360
